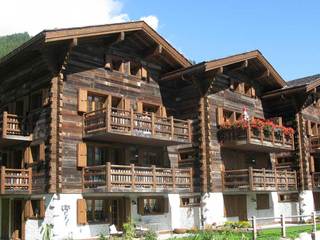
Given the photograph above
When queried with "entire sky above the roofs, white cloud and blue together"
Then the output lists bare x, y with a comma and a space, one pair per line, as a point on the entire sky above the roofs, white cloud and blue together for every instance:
287, 32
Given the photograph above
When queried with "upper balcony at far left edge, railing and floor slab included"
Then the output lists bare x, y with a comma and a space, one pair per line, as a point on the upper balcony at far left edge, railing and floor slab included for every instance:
12, 130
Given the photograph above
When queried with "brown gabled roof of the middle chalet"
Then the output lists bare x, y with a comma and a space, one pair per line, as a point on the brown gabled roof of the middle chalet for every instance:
255, 56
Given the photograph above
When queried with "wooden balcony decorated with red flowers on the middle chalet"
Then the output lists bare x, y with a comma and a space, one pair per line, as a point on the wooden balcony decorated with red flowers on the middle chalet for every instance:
250, 137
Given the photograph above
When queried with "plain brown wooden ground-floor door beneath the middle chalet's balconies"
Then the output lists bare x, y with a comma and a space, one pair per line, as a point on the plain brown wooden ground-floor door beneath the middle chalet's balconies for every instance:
236, 206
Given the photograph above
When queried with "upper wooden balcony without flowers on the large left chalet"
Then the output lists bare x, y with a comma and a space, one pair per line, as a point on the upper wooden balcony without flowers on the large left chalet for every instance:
128, 126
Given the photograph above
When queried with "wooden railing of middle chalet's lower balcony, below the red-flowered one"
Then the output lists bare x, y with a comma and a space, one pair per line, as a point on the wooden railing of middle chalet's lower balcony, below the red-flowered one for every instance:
259, 180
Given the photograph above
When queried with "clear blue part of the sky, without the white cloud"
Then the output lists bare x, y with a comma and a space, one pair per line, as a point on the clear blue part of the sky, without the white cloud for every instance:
286, 32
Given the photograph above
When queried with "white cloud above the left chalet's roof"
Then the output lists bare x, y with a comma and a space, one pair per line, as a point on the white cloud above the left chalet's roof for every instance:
34, 16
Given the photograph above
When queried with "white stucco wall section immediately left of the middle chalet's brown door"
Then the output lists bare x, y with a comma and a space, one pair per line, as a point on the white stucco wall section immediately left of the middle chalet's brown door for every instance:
213, 208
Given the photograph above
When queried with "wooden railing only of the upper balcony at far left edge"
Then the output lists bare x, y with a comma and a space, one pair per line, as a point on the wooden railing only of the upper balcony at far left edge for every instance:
12, 125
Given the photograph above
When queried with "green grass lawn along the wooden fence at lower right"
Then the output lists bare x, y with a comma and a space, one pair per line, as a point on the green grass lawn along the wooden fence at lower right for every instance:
266, 234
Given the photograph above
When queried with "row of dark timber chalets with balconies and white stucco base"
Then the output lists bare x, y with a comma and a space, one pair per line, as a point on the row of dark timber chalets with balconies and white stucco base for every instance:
108, 123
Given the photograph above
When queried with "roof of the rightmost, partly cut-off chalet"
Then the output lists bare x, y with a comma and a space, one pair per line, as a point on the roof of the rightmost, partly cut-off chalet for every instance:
300, 85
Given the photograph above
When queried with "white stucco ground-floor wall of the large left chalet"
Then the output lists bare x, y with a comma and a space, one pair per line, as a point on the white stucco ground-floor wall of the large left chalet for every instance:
61, 211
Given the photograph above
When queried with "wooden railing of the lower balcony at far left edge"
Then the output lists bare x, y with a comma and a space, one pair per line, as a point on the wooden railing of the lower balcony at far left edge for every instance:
15, 181
